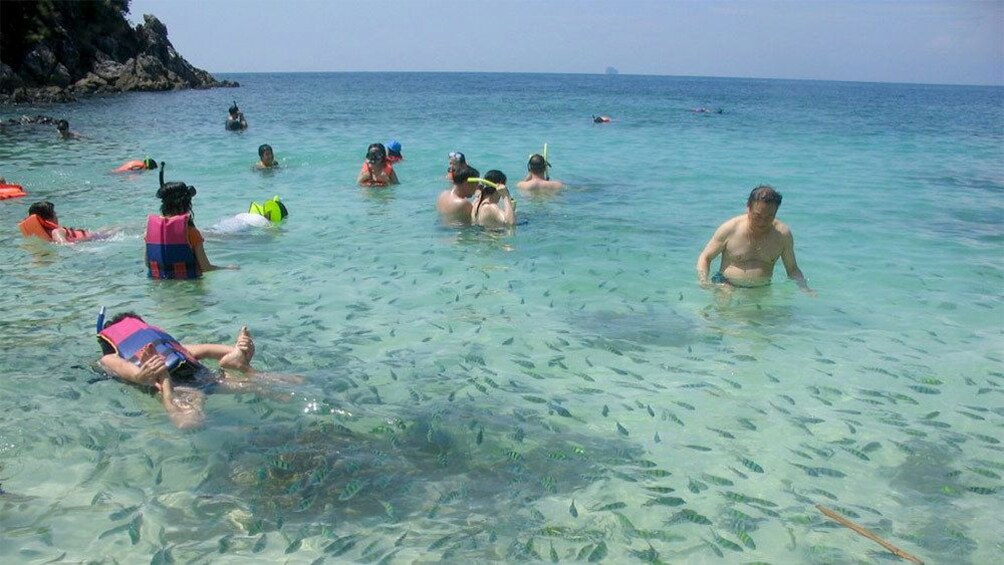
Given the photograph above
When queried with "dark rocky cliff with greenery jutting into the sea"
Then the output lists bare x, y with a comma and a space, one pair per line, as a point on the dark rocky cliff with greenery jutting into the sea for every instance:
53, 51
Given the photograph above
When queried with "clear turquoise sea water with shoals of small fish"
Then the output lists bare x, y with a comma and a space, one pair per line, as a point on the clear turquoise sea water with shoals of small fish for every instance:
465, 389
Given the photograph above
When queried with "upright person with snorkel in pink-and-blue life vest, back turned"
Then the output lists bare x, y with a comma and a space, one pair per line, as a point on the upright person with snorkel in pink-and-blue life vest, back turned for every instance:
174, 245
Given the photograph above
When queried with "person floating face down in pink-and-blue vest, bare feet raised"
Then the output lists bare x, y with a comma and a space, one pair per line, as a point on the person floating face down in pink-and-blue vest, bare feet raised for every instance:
146, 356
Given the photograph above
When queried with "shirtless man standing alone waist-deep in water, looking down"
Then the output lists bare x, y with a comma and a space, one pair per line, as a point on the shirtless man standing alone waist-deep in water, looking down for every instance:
750, 245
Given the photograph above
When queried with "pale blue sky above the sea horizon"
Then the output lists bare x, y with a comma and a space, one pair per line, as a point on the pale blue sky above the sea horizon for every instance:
941, 43
